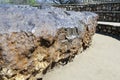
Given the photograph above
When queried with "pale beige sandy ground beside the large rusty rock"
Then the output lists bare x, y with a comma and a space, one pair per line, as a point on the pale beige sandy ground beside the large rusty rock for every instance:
99, 62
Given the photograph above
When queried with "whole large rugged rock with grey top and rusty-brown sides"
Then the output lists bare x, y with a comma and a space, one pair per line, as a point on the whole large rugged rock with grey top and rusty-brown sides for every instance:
34, 40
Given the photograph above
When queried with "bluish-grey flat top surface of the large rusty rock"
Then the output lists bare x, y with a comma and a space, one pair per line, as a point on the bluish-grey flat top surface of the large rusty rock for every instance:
16, 18
